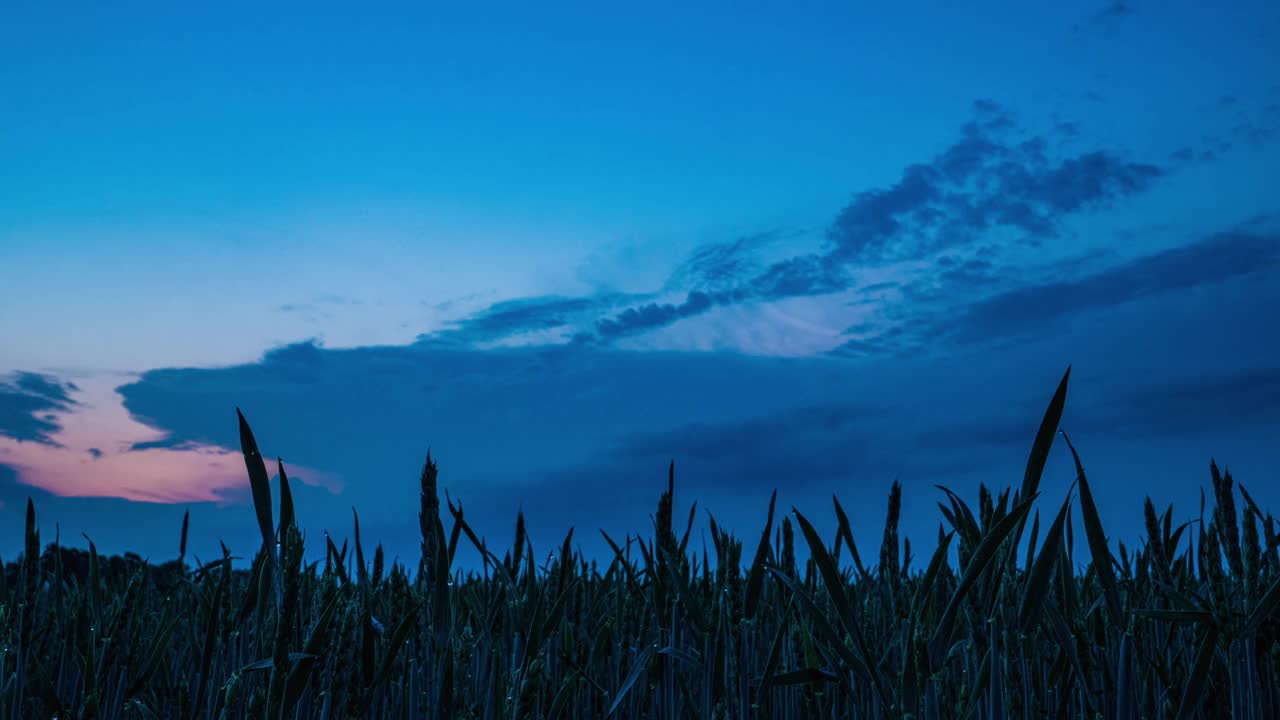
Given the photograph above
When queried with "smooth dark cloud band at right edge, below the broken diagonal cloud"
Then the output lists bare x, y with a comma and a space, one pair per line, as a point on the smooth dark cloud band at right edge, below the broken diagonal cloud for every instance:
970, 303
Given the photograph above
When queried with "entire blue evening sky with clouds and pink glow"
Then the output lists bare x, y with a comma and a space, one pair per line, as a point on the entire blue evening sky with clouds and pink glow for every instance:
819, 249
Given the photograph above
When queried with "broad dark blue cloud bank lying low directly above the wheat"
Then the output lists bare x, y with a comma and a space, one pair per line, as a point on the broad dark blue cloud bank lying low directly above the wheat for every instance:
582, 435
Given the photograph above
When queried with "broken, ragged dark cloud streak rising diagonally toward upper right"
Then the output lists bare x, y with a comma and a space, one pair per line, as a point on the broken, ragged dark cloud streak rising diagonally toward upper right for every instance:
991, 177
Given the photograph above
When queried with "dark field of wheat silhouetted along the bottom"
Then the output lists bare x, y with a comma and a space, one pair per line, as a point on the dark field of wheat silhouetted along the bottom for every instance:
1000, 623
